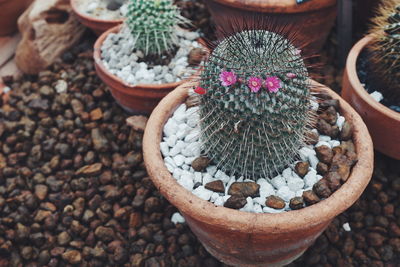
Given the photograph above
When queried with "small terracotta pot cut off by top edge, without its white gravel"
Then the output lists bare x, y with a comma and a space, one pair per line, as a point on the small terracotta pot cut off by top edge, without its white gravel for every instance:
97, 25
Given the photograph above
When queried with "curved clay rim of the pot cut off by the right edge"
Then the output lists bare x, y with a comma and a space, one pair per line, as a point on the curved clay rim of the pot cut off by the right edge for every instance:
351, 69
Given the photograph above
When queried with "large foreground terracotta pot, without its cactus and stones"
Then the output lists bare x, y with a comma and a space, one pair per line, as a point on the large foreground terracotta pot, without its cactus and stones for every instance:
250, 239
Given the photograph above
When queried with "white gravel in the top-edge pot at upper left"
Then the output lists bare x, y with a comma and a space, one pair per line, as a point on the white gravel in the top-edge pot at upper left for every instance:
98, 9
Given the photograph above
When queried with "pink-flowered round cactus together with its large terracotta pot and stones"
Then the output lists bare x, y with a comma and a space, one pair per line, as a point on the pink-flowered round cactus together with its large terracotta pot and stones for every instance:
243, 137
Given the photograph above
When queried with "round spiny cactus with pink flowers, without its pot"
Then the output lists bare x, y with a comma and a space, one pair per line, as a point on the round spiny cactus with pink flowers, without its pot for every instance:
254, 104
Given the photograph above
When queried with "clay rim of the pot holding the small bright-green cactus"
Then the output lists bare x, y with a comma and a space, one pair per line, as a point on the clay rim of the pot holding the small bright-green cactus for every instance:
127, 87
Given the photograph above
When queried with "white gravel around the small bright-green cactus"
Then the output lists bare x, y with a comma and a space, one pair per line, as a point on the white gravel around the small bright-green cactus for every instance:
121, 59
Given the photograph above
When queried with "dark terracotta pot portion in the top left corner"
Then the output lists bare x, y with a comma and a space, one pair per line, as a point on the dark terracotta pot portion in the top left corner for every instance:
10, 11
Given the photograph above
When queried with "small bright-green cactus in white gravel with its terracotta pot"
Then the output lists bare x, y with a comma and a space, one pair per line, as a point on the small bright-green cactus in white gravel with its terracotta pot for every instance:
148, 56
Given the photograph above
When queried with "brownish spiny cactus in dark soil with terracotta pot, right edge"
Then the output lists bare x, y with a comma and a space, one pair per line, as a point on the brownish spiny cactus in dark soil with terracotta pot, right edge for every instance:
373, 68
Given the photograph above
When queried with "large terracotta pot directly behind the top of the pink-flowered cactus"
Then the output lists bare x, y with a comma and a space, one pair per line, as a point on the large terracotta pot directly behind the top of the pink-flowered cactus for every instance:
312, 20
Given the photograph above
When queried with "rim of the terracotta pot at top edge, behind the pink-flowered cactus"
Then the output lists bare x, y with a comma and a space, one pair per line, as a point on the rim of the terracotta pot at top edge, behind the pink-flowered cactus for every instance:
275, 6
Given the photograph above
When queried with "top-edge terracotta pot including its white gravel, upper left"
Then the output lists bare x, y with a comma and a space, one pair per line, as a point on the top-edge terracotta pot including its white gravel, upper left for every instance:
100, 15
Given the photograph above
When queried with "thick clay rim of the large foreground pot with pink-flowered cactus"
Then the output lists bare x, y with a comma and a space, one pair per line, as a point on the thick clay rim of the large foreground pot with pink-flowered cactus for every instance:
207, 212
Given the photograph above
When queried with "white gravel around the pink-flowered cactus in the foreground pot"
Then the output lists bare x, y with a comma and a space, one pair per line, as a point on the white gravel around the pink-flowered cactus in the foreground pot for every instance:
181, 145
